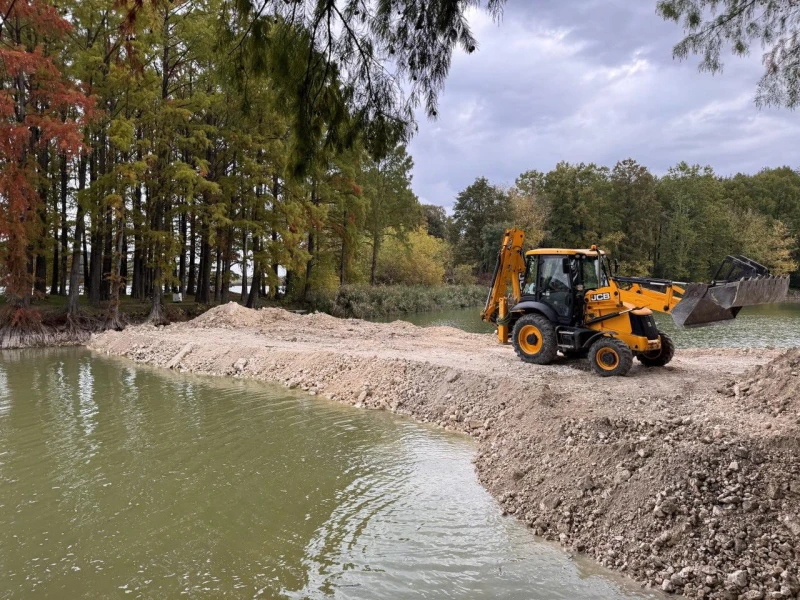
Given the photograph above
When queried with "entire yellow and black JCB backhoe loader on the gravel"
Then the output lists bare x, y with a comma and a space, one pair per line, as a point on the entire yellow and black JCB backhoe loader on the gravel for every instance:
570, 301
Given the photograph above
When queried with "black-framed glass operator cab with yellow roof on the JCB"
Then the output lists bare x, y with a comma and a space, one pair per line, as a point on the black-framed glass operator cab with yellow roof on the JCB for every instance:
559, 278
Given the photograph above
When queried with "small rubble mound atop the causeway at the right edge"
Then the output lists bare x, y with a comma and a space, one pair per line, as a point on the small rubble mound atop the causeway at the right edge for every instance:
773, 388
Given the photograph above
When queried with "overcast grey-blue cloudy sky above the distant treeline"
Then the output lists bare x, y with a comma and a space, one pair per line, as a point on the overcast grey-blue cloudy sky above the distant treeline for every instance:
591, 81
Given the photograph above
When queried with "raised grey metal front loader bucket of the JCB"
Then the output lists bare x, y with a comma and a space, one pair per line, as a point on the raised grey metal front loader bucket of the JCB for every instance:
721, 300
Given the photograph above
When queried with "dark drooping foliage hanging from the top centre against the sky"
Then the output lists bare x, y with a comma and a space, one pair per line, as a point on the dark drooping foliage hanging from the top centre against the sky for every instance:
390, 57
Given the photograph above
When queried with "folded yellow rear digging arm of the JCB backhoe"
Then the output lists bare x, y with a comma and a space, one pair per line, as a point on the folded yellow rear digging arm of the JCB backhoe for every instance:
510, 265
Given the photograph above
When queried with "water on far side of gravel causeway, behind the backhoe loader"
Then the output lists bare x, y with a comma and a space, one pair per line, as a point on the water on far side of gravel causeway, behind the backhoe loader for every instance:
755, 327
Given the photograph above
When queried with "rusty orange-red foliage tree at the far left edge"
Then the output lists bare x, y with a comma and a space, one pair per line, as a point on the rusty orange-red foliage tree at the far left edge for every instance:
41, 111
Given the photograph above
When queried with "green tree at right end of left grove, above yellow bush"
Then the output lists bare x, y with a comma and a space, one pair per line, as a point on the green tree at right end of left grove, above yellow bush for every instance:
392, 206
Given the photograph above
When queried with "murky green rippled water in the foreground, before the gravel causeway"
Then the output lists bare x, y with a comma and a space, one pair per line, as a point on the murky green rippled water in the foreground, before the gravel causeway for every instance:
123, 481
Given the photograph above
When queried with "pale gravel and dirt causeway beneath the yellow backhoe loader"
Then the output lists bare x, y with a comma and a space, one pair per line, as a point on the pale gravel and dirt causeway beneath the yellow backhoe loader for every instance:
685, 478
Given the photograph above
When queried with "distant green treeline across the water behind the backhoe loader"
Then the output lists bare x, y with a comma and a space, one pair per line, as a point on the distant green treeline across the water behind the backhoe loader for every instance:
677, 226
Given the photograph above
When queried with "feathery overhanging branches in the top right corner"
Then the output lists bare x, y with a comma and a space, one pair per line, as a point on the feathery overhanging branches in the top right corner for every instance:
712, 25
